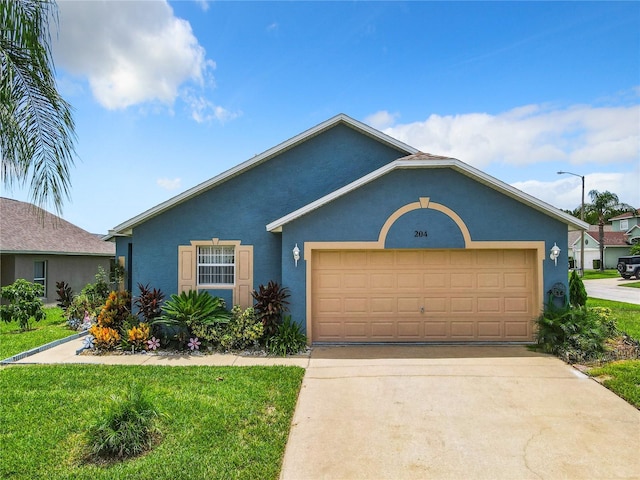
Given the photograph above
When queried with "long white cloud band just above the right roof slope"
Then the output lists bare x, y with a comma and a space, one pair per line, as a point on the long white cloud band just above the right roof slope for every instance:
529, 134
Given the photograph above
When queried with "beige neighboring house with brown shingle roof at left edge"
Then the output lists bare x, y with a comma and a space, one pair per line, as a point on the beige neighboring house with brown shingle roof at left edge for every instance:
43, 248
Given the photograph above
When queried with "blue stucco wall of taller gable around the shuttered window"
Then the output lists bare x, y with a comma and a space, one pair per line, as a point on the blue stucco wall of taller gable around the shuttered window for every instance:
240, 208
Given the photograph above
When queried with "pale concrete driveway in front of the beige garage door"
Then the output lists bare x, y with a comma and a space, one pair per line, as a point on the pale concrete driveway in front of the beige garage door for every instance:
456, 412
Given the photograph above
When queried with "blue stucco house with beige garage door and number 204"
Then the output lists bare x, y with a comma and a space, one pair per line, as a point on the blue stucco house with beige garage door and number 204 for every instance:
376, 241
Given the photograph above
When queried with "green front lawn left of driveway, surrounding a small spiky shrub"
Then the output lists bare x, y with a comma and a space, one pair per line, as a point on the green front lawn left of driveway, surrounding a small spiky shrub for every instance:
222, 422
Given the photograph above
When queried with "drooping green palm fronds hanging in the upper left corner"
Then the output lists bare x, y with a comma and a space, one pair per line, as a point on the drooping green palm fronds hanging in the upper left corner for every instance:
37, 131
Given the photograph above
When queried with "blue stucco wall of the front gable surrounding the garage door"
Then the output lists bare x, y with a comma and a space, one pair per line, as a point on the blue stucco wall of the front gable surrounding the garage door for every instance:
359, 216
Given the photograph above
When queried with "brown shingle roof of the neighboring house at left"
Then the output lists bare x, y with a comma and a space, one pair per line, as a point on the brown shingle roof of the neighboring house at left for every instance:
27, 229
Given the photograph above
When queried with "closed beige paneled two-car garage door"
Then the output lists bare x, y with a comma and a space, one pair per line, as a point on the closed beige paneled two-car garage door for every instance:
423, 295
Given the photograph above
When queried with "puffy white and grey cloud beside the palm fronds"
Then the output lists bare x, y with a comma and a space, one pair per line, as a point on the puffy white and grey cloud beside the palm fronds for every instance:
130, 52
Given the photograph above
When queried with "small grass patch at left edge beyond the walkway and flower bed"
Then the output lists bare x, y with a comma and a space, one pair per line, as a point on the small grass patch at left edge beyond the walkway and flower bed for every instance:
13, 341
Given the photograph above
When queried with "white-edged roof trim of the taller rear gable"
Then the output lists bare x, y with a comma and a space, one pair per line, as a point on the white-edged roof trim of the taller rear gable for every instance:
125, 228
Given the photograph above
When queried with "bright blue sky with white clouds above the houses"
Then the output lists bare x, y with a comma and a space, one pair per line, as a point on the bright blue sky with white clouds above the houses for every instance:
168, 95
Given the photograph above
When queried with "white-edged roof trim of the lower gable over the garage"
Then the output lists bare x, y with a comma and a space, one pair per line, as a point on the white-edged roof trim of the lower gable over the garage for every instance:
427, 160
